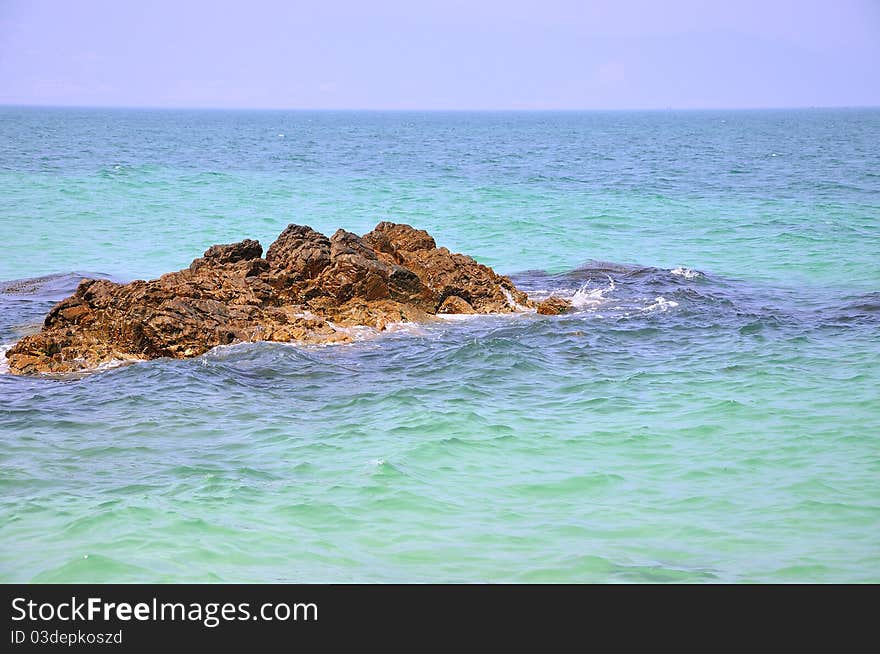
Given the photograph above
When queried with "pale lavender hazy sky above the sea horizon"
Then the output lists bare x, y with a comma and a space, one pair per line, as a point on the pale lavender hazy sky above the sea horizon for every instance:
443, 54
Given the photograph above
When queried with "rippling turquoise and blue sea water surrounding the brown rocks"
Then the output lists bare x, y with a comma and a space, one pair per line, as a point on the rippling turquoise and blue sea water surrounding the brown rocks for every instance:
710, 413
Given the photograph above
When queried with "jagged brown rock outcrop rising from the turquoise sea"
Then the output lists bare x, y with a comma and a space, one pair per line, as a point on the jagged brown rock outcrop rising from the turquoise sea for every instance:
305, 288
